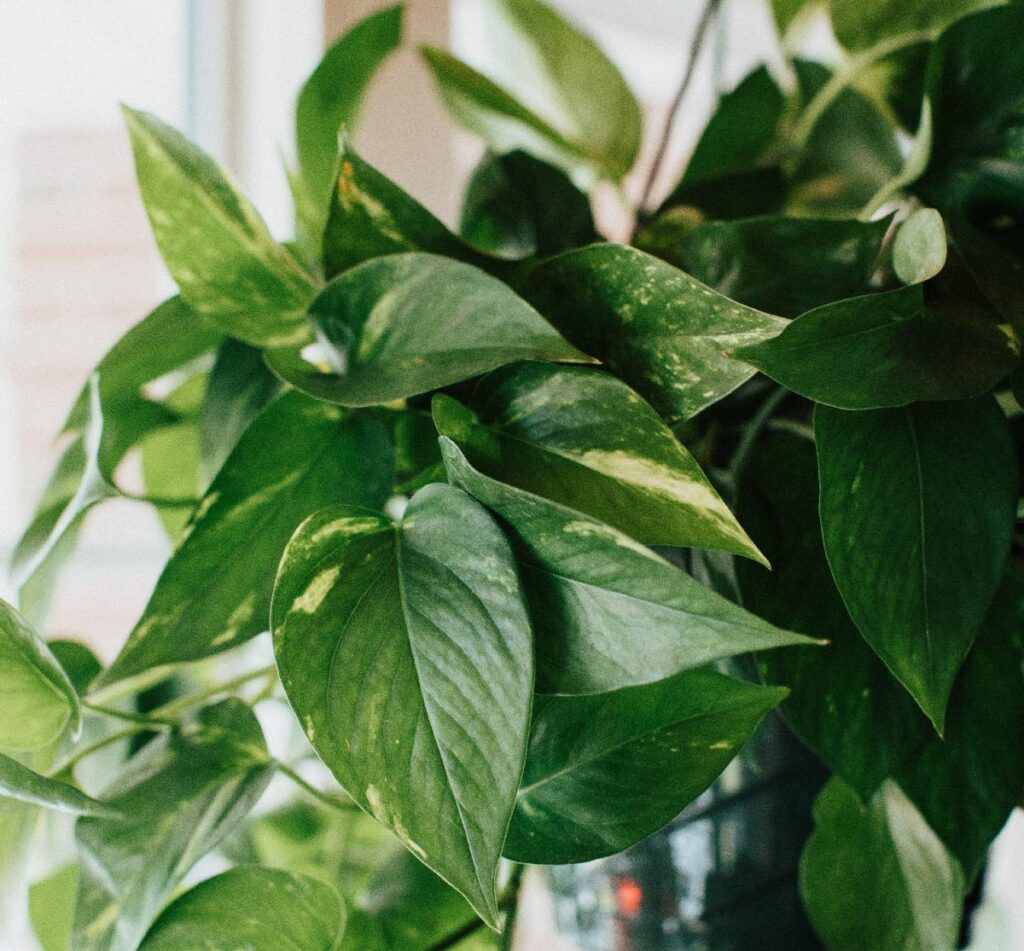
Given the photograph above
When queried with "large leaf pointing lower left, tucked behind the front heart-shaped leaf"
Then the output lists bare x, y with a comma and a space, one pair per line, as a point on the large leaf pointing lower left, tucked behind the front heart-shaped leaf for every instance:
296, 458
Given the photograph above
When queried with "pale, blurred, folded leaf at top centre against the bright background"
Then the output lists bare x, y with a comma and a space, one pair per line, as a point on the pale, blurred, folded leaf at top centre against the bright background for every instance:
553, 92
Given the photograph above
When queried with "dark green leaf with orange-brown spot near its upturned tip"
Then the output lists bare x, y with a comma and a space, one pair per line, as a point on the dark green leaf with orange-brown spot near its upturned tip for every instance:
371, 217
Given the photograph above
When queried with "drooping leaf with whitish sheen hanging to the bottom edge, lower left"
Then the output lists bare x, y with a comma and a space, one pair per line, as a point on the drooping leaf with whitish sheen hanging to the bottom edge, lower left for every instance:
181, 796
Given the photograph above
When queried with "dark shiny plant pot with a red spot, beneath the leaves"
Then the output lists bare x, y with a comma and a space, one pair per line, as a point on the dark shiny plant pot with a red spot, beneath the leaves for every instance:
721, 878
